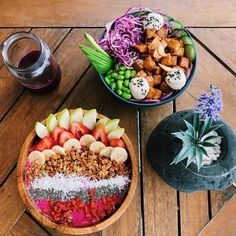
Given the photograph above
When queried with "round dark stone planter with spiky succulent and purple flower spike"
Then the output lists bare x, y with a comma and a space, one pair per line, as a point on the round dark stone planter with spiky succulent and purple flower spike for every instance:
194, 149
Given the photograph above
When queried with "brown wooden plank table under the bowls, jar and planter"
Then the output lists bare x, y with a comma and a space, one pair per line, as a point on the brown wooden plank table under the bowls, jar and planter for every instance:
156, 209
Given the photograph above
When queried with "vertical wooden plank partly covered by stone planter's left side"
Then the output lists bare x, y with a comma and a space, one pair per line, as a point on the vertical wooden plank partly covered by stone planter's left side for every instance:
160, 202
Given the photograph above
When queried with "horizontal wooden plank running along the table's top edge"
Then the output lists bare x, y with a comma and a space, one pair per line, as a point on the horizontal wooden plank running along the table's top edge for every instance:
84, 13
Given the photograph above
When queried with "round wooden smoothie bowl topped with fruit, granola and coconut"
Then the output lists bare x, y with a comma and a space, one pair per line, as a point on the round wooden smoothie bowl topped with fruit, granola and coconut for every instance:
77, 171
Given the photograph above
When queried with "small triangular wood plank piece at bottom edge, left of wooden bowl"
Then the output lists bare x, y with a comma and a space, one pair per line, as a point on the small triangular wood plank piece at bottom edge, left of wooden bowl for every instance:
26, 226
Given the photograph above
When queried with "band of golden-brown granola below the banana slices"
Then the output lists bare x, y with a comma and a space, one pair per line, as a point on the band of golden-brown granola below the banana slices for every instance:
80, 162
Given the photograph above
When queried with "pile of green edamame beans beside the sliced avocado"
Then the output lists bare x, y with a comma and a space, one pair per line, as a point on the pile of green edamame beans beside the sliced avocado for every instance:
118, 80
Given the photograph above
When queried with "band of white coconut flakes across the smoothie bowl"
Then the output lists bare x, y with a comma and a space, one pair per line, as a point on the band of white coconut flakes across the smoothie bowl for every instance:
74, 182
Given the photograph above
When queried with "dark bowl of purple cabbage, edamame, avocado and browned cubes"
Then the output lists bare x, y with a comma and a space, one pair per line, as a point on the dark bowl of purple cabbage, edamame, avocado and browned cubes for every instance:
144, 57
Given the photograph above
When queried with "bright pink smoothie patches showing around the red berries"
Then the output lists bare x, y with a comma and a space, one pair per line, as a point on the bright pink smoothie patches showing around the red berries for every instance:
79, 219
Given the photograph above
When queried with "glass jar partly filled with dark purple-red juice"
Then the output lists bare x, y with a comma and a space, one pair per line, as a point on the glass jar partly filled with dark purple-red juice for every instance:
31, 62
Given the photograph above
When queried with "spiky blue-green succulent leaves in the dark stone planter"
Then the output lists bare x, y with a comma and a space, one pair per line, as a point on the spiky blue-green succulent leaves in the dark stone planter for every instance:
195, 140
